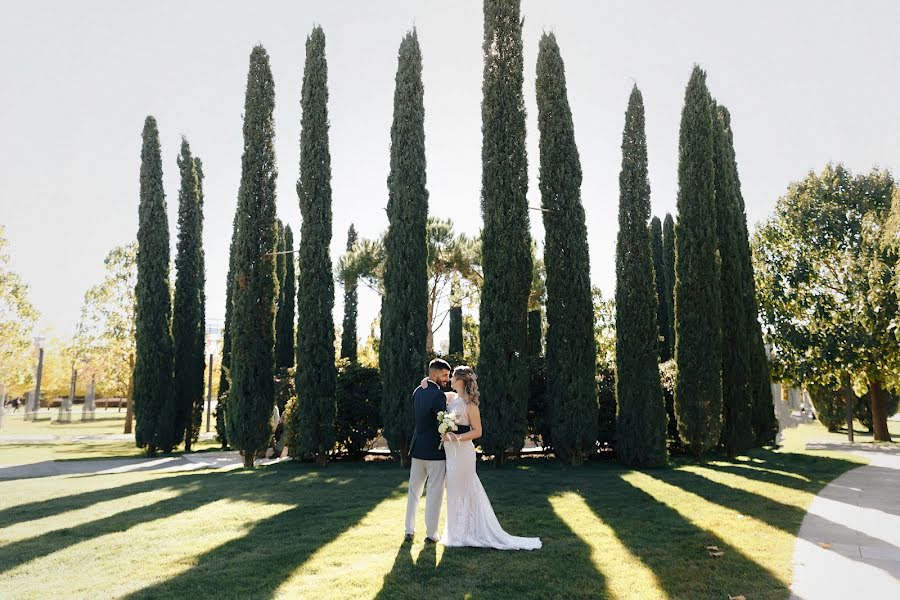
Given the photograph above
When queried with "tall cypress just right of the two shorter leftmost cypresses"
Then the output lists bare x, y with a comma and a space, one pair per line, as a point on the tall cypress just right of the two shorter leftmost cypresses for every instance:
255, 287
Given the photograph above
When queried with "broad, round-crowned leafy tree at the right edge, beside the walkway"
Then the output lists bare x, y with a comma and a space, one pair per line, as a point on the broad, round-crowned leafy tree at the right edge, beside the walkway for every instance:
824, 281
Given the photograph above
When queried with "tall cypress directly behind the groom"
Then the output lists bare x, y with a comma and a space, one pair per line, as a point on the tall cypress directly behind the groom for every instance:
403, 315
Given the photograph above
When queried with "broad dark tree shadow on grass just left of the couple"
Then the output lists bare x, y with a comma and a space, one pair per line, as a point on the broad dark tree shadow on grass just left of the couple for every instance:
256, 564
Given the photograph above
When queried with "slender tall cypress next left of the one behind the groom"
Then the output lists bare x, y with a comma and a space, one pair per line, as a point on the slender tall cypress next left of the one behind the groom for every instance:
316, 372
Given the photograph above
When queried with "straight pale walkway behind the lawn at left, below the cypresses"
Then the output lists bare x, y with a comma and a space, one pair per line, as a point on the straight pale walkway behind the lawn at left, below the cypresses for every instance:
188, 462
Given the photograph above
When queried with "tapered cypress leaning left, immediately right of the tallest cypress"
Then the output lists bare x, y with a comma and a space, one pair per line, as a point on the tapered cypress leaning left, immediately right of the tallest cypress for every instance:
571, 348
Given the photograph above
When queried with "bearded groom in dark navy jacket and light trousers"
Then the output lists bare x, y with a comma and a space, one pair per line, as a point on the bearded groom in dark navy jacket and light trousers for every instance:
428, 461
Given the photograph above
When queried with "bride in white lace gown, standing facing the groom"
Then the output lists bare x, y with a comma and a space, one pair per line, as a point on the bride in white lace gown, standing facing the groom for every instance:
470, 517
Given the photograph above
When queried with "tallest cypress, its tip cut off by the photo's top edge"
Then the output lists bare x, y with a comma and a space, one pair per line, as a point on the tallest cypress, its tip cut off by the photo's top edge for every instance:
506, 240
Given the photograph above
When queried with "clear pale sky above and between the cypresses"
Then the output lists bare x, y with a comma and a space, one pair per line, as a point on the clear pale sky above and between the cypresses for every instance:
806, 82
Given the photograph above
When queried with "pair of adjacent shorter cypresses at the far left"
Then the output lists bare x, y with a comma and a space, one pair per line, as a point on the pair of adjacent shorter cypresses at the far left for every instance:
169, 358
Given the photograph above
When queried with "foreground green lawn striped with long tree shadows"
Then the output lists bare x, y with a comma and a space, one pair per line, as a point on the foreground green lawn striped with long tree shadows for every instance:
295, 530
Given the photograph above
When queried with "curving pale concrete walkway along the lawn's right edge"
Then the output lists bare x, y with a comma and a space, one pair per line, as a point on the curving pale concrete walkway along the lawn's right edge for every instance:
849, 542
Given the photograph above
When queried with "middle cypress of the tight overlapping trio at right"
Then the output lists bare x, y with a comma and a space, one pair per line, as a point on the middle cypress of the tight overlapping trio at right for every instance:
737, 431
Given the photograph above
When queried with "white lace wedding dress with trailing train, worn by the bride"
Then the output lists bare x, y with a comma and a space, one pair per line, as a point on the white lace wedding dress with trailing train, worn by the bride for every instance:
470, 517
